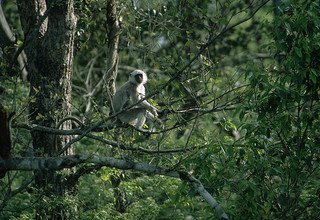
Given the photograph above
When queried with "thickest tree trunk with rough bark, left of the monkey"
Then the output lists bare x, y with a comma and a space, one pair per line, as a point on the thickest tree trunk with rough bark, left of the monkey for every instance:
50, 59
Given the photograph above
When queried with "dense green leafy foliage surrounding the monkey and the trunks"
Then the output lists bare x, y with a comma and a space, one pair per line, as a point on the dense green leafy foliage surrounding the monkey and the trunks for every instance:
255, 145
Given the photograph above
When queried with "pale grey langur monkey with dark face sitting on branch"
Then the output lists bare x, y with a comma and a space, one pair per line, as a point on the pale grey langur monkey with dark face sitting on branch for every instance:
131, 93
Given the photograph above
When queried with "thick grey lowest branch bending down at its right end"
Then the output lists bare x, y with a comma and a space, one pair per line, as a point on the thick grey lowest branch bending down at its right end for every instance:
58, 163
